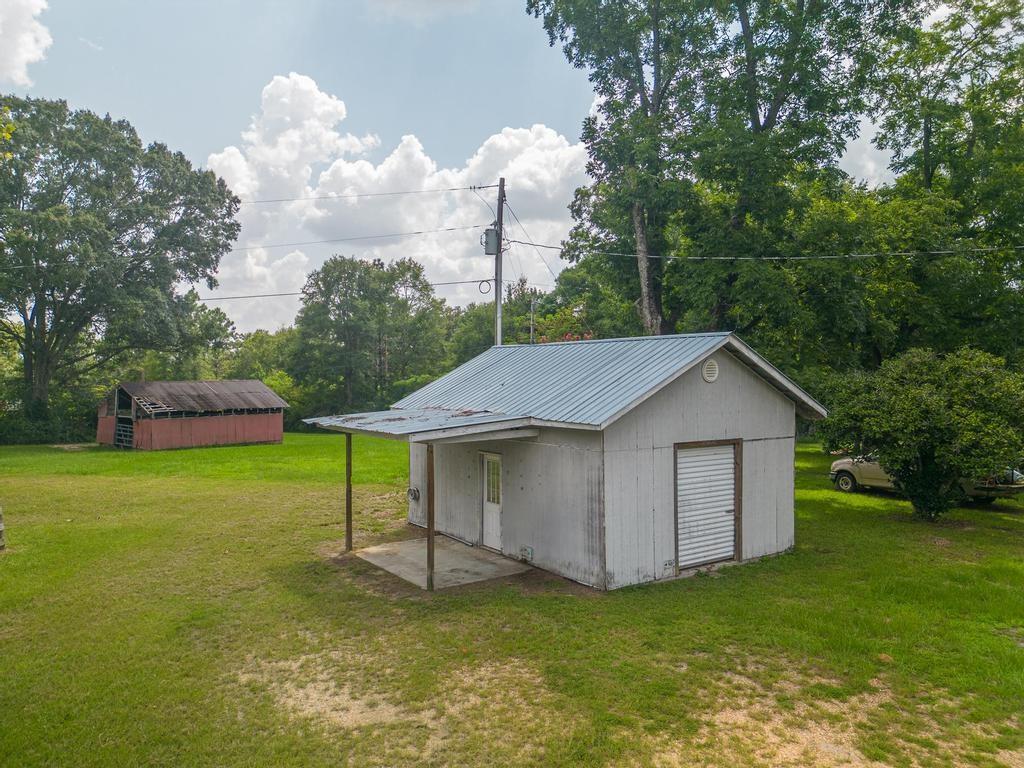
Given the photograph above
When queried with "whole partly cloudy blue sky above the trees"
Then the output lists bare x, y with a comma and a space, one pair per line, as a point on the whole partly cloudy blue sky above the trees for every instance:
312, 99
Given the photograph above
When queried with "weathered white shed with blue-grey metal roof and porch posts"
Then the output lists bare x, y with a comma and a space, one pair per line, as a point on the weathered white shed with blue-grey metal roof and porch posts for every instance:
611, 462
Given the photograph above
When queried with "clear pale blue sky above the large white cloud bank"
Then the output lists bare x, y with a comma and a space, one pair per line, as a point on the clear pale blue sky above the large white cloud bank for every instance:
188, 73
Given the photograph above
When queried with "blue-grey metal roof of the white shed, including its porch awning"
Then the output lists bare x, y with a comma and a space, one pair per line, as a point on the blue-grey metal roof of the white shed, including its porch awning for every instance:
583, 385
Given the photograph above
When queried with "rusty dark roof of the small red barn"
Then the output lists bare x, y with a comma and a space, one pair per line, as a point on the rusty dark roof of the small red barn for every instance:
203, 397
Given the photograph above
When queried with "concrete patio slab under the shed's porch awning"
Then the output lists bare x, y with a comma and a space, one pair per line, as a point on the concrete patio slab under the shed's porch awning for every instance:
455, 564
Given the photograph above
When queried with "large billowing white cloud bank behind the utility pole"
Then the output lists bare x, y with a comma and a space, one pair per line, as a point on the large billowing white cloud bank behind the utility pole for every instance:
295, 148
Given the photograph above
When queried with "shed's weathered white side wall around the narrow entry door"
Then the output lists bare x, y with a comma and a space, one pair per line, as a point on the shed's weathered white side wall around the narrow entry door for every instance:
551, 498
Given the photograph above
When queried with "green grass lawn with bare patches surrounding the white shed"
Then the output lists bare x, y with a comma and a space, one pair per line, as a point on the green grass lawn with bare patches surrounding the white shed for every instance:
189, 609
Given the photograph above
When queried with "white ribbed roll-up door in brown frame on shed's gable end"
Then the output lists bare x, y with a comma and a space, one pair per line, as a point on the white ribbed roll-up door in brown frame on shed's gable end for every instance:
706, 505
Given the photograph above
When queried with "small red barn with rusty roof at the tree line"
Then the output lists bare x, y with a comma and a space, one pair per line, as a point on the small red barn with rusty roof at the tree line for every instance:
157, 415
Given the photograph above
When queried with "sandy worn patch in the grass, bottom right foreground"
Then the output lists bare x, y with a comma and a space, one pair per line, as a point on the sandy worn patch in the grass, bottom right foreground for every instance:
803, 720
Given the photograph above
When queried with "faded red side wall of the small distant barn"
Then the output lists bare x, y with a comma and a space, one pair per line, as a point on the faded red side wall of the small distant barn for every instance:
160, 435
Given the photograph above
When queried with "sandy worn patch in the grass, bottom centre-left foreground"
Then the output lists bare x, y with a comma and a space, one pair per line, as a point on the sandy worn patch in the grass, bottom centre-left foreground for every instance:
497, 711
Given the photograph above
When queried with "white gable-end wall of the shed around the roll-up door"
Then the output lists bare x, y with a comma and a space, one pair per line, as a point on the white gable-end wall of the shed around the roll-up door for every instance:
639, 467
